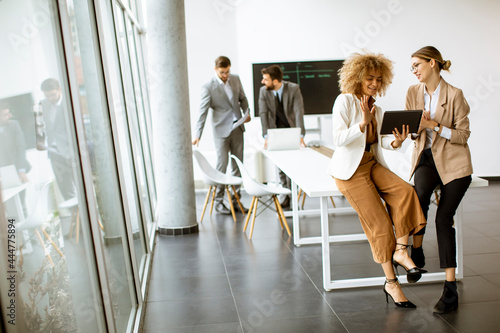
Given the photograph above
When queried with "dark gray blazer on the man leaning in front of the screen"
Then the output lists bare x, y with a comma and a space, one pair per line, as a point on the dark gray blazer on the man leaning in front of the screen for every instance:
293, 105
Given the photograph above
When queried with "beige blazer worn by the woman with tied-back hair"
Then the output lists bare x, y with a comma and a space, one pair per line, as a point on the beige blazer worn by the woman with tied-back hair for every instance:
452, 157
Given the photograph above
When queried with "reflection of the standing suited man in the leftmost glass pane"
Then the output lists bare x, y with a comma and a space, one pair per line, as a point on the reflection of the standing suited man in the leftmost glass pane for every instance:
59, 144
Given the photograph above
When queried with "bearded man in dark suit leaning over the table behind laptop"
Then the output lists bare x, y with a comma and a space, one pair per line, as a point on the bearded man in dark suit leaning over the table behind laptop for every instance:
280, 106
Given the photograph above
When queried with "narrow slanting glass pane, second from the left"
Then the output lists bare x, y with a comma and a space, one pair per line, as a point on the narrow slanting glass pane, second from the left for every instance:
113, 204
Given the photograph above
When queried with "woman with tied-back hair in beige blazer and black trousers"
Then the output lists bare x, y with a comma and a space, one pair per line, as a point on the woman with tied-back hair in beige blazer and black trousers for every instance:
441, 157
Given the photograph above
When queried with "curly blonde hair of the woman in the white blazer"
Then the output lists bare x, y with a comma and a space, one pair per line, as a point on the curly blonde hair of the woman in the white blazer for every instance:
357, 66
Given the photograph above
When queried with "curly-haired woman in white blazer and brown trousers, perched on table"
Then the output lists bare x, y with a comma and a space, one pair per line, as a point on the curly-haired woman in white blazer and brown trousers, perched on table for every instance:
362, 175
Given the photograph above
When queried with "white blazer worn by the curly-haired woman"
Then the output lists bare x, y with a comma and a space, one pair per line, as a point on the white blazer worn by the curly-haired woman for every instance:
350, 141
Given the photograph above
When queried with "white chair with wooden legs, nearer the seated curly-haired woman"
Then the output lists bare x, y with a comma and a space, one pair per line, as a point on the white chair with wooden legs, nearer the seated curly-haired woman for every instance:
257, 191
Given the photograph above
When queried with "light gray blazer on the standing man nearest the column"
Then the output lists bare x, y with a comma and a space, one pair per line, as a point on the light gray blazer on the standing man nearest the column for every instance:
213, 96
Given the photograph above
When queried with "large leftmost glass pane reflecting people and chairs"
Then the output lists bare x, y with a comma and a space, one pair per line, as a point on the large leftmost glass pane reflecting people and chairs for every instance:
42, 194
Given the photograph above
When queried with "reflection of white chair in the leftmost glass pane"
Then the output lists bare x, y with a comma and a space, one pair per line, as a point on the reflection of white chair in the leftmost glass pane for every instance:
38, 216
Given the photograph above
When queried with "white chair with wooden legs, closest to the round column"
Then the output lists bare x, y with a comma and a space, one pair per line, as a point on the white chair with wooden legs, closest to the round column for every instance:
214, 178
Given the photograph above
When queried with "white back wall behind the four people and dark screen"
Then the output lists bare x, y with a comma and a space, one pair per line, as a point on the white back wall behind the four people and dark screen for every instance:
248, 31
